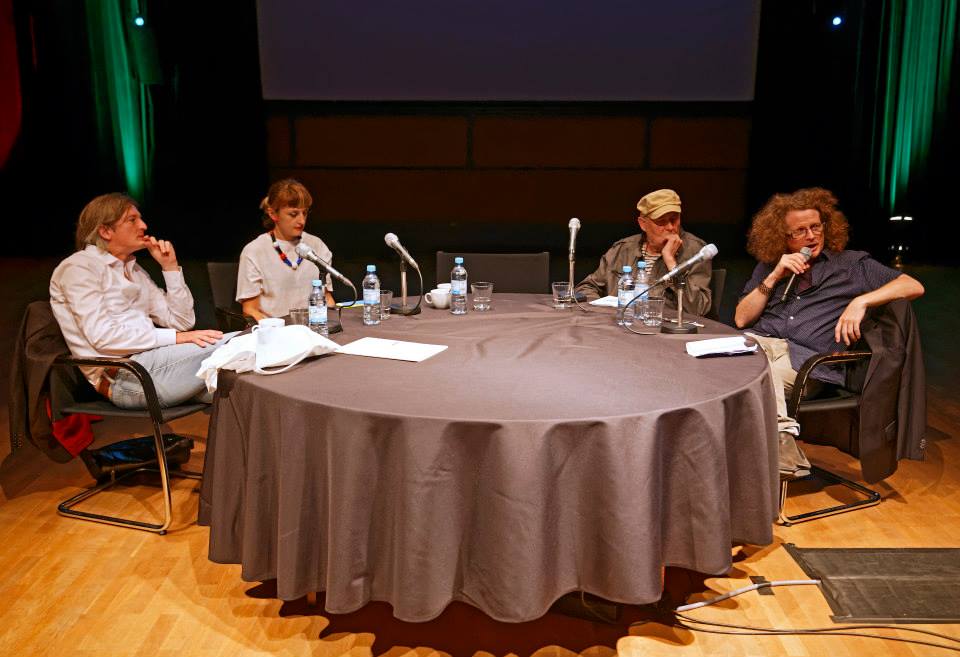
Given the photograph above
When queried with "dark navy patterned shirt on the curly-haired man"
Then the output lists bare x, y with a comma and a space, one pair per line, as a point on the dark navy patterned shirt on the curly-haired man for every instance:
807, 319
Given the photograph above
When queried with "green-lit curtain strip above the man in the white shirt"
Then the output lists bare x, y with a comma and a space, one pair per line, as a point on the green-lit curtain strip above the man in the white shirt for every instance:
124, 108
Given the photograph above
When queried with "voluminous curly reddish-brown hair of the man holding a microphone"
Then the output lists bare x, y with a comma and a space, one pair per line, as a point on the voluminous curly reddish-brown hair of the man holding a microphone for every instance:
767, 240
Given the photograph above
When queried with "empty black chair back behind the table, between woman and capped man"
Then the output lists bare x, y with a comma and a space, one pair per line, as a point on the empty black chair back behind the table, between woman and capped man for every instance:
509, 272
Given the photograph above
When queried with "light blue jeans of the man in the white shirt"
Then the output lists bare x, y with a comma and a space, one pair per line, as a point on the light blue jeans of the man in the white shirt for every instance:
173, 369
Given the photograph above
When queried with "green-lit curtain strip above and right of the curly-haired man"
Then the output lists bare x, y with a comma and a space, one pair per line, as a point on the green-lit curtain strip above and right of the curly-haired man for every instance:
912, 87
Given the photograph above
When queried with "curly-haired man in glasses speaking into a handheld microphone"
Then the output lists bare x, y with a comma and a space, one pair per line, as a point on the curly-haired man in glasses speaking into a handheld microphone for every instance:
826, 303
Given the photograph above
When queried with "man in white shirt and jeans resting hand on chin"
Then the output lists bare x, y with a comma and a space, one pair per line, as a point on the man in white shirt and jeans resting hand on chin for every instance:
107, 305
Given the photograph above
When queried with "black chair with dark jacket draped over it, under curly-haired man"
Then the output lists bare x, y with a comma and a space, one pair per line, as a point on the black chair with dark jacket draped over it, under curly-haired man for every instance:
836, 417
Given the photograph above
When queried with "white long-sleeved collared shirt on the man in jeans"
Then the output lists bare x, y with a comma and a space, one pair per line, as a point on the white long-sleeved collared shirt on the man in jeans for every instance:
106, 307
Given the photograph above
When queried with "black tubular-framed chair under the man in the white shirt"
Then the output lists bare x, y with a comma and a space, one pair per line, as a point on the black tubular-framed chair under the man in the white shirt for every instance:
112, 464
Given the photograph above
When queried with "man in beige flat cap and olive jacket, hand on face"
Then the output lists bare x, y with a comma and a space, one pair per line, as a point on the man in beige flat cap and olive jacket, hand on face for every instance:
662, 244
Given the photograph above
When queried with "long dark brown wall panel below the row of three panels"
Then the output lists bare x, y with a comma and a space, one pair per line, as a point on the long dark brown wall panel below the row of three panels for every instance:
525, 196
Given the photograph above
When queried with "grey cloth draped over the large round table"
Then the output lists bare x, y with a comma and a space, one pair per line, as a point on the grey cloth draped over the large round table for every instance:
543, 452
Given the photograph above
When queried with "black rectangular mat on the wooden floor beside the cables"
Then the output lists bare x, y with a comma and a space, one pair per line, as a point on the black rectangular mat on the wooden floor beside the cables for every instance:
886, 585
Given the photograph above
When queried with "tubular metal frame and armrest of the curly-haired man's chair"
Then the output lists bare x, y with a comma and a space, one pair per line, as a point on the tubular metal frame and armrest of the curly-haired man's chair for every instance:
869, 497
